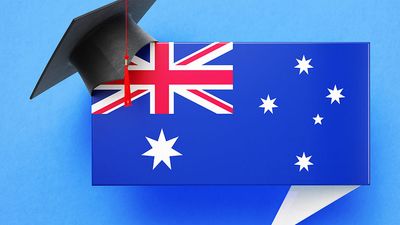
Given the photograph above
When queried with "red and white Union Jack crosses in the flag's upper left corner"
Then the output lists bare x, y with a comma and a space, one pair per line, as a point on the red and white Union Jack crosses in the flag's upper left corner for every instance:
162, 77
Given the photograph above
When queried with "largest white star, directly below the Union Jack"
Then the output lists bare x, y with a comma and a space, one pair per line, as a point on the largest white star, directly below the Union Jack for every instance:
162, 150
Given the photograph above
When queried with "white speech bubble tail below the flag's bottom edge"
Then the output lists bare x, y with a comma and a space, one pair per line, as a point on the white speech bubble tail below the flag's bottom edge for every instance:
303, 201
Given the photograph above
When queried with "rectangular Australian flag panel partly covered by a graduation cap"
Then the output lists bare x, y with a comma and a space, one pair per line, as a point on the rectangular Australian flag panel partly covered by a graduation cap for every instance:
236, 113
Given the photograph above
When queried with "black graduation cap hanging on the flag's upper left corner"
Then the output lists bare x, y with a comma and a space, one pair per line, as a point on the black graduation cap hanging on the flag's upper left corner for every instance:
94, 46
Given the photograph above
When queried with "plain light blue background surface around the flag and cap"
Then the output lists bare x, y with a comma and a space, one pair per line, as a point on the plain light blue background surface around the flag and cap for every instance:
45, 153
